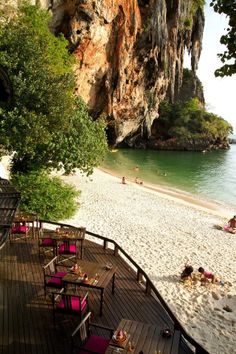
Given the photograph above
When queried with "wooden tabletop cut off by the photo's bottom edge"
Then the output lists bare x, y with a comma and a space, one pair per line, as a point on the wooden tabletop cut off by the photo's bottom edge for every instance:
143, 338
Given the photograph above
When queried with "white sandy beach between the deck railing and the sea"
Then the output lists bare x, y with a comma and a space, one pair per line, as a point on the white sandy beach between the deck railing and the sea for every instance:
161, 233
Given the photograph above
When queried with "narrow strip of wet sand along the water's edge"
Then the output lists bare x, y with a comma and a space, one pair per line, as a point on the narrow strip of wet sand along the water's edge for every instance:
181, 197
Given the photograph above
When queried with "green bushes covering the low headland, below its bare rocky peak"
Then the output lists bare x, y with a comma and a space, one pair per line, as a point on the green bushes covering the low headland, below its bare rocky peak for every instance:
187, 123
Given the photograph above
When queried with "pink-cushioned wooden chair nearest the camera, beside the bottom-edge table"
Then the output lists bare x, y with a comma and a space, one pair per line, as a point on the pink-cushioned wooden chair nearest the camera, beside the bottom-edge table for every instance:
83, 338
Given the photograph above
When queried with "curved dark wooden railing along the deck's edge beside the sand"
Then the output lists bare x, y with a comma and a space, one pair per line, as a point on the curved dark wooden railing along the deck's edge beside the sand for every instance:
144, 278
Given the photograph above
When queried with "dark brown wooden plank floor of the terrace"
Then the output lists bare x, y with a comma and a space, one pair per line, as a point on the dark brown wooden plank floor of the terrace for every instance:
26, 322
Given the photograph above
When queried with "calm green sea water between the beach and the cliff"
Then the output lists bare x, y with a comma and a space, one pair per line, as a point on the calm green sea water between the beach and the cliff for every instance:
210, 175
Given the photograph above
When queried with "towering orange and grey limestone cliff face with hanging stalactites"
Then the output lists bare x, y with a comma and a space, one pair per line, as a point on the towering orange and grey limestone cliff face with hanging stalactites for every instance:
128, 53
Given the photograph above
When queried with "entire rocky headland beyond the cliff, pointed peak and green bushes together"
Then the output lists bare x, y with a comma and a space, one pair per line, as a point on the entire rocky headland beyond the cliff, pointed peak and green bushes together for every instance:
184, 124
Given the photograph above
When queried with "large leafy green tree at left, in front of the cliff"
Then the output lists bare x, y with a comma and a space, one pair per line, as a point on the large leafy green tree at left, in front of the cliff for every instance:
44, 126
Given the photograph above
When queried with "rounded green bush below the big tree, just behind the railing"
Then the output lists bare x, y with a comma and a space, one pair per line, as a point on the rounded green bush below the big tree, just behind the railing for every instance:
48, 196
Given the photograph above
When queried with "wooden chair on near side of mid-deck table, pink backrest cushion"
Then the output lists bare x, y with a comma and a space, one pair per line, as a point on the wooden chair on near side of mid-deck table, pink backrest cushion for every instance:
69, 304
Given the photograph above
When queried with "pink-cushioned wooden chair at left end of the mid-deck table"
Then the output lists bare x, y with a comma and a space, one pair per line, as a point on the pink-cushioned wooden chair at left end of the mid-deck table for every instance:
52, 275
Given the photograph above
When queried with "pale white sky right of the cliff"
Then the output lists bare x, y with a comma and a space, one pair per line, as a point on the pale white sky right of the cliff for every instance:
219, 93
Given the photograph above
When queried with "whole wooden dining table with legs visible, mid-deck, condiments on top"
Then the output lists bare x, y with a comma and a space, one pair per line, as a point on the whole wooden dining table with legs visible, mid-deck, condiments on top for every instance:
92, 275
